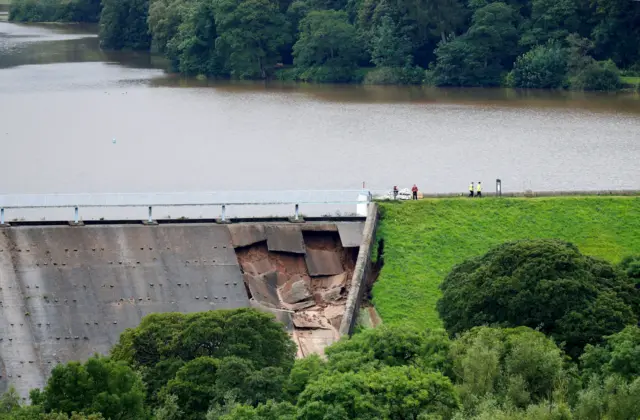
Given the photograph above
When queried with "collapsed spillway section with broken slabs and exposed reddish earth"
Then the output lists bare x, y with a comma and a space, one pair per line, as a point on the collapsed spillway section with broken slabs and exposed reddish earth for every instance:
303, 271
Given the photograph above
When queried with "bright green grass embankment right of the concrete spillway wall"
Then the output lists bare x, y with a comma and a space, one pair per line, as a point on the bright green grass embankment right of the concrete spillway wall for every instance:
423, 240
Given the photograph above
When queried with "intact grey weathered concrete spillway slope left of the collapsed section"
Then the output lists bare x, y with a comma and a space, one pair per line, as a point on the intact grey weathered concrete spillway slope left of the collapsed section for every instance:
68, 292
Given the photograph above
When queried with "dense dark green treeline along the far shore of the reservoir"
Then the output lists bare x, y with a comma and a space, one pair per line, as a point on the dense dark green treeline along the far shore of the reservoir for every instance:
550, 44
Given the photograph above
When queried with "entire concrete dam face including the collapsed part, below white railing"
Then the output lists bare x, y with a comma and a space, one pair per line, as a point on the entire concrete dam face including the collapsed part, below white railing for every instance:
67, 292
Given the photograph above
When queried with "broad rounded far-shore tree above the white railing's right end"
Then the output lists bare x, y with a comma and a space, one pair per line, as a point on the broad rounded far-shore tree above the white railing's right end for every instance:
328, 47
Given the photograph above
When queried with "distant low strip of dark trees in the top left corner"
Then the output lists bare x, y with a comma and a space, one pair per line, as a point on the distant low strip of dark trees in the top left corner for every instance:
54, 10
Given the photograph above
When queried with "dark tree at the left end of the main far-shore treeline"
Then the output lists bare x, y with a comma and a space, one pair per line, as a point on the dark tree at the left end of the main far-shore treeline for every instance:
123, 25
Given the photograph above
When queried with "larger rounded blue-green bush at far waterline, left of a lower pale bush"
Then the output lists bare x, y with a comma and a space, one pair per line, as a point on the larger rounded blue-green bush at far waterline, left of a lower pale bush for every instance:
543, 67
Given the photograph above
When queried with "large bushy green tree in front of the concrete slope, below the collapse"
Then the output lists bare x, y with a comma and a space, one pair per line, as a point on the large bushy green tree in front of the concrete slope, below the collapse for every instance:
201, 357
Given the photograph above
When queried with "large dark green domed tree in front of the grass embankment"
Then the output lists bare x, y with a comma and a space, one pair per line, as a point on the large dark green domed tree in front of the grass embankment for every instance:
545, 284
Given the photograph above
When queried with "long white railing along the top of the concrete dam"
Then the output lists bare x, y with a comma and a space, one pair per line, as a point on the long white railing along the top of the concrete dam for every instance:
221, 199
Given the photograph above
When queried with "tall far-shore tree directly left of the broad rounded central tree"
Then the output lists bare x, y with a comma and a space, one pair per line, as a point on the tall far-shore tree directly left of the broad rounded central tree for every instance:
250, 35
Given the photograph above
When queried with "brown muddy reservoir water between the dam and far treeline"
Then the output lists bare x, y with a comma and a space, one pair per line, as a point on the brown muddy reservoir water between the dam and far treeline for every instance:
63, 101
